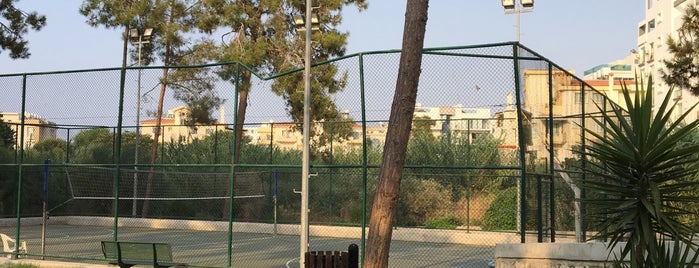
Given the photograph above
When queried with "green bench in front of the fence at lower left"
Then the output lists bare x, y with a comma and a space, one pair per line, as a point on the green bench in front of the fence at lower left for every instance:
127, 254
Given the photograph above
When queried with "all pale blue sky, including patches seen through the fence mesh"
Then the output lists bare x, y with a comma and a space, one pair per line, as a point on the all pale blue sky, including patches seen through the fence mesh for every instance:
576, 35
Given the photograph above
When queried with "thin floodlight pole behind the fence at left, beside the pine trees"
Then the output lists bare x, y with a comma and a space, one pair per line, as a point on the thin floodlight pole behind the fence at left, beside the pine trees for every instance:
138, 37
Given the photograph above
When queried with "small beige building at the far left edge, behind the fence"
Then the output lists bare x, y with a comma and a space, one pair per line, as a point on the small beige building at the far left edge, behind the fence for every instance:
36, 128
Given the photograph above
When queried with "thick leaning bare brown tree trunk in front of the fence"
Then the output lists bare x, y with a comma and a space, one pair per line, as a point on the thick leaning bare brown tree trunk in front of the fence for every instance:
397, 136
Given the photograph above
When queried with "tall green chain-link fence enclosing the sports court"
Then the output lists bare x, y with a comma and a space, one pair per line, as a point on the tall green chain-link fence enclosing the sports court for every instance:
490, 159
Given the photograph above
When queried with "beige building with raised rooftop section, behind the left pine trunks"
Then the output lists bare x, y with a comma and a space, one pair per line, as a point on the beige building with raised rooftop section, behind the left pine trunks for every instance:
175, 128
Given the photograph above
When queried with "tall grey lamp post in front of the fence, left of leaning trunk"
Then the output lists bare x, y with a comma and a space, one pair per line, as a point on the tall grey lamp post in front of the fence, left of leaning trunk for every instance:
304, 23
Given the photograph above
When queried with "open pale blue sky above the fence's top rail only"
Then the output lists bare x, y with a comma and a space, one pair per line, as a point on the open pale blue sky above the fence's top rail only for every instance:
575, 34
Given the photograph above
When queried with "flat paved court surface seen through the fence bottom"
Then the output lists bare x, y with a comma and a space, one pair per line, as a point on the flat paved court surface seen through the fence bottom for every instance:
209, 248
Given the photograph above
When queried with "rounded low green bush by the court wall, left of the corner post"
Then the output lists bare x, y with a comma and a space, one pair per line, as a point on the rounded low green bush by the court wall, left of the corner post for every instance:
502, 213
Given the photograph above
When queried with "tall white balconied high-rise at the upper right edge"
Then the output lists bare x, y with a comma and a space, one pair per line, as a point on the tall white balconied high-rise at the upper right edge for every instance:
663, 18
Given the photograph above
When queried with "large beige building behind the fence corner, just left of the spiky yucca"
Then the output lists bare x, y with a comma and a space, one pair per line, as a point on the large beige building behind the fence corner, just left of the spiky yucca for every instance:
569, 99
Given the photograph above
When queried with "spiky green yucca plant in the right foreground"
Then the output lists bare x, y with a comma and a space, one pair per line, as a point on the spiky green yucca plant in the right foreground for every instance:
639, 183
